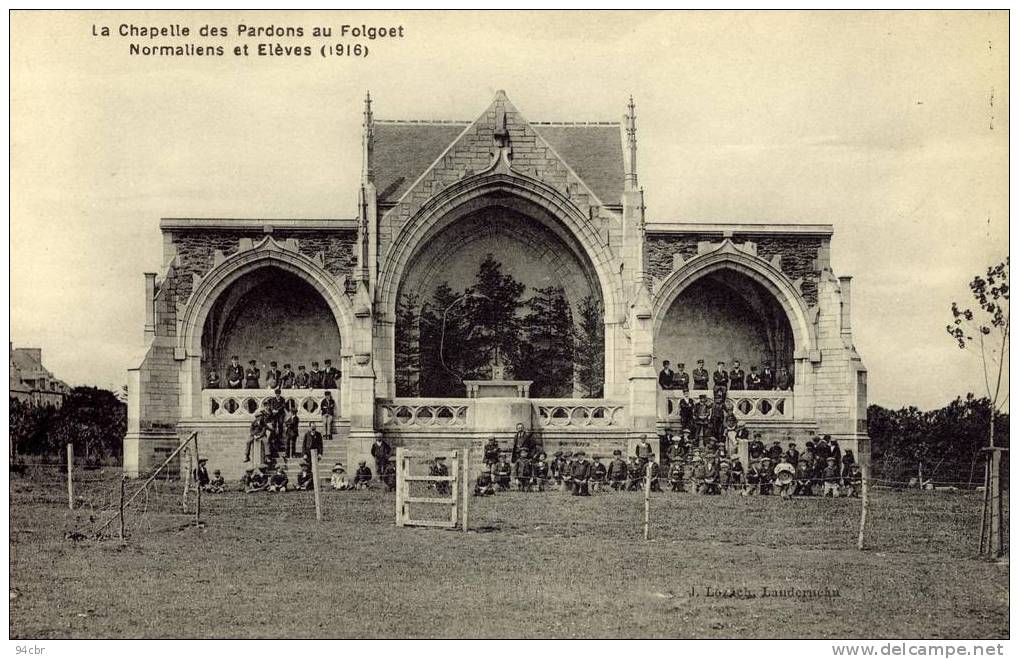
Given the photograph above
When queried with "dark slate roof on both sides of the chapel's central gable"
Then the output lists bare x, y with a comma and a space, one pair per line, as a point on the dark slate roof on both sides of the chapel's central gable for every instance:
404, 150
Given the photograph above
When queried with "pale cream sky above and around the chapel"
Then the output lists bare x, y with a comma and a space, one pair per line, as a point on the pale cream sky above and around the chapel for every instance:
892, 127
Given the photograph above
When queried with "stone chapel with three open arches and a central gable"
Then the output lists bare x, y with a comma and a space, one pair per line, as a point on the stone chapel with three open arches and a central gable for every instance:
560, 201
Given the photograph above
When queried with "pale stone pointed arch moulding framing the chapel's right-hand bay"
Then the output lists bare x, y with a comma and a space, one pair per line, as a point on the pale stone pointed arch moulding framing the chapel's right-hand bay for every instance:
728, 257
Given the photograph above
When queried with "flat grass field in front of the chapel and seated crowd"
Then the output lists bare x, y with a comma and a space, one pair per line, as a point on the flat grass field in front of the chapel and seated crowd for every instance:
540, 566
